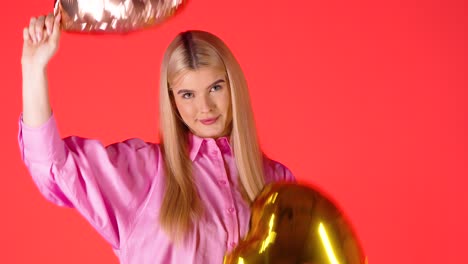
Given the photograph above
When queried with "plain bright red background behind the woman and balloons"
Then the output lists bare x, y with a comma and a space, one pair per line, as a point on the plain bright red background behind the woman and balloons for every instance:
366, 100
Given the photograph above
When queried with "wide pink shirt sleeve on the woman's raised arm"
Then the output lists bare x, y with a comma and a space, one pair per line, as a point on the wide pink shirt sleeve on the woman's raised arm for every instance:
107, 185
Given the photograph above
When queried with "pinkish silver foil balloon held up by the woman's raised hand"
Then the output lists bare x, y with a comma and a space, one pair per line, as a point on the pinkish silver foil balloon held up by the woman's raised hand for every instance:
118, 16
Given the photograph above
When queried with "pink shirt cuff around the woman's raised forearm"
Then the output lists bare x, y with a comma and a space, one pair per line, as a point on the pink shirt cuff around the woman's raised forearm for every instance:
40, 143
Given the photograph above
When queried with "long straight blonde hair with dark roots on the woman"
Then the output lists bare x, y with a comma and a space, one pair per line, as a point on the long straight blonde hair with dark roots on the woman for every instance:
192, 50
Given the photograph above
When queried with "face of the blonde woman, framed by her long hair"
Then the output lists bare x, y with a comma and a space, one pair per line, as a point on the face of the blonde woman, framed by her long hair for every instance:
203, 100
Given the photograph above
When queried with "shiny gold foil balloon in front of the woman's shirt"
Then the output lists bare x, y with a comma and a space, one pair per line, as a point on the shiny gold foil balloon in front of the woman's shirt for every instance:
295, 224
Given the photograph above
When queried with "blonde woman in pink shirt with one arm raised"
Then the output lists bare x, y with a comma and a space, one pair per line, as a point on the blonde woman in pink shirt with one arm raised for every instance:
185, 200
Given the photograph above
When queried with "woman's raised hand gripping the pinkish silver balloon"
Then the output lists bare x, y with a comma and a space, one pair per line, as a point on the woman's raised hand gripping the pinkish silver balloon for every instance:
41, 39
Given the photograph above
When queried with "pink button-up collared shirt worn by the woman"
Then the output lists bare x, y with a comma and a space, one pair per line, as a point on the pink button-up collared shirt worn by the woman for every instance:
119, 190
